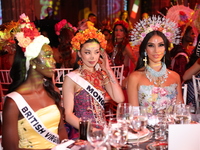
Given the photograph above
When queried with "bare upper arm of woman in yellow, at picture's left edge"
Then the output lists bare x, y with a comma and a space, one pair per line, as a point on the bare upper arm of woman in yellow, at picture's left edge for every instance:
10, 138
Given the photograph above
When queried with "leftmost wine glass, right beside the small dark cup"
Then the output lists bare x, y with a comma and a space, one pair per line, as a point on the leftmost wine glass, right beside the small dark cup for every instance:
97, 134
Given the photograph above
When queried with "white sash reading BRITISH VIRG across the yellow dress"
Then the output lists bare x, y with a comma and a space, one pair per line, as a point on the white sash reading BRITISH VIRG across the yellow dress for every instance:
33, 119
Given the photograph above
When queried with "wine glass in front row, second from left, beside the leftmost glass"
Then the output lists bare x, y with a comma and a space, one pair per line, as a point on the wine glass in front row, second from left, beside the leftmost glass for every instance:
117, 134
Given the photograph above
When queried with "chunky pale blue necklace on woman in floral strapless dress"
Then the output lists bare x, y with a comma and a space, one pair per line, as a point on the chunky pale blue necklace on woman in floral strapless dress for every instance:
157, 77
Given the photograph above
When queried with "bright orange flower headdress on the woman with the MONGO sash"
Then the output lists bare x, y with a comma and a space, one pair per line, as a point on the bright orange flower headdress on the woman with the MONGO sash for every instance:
82, 36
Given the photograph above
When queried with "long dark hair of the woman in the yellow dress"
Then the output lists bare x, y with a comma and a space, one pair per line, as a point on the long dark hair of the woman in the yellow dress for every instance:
18, 75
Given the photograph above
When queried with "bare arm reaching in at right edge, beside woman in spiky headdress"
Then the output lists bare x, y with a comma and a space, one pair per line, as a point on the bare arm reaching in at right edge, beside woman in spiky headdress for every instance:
193, 70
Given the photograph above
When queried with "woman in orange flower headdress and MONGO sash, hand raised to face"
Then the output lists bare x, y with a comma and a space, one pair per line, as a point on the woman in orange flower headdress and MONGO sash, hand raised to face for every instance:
84, 88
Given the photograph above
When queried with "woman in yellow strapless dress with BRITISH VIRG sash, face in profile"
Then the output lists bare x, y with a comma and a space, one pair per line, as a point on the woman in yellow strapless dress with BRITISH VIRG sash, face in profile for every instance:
32, 114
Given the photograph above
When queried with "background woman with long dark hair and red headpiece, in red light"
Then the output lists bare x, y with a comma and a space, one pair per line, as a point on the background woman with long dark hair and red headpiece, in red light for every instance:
122, 52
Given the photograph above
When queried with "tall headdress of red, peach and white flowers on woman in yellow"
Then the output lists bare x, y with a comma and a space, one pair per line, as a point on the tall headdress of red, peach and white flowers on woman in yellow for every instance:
29, 39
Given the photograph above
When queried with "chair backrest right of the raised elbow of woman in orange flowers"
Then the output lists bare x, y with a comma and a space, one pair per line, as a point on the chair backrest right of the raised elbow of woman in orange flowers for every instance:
118, 71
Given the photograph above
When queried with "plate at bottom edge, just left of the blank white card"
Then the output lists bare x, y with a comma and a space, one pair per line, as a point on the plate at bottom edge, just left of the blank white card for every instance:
157, 146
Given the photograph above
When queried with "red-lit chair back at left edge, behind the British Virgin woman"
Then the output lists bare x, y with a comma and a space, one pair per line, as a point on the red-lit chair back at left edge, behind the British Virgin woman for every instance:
5, 81
